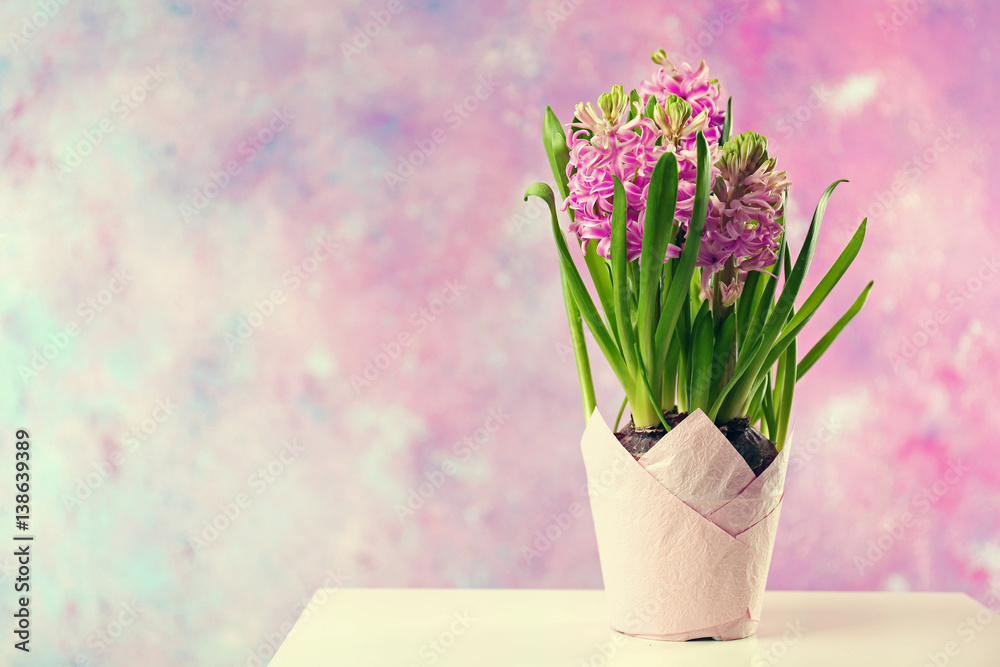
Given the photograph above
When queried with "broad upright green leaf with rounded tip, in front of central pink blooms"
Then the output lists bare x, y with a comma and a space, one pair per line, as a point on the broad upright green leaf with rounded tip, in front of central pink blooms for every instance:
656, 236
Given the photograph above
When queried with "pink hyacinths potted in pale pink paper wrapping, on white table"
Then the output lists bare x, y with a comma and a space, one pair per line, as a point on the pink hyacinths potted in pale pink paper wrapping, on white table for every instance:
682, 229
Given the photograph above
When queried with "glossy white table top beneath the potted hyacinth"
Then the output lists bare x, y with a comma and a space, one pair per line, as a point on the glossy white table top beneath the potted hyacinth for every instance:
550, 628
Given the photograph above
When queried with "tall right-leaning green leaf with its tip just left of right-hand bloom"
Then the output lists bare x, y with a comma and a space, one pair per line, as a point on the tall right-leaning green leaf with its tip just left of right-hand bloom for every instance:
681, 282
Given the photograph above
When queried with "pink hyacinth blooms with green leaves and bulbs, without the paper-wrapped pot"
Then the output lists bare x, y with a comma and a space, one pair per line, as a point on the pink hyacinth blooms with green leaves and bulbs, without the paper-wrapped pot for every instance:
682, 229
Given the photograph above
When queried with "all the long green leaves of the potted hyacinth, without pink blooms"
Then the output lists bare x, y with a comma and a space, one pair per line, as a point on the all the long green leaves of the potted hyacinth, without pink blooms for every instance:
659, 333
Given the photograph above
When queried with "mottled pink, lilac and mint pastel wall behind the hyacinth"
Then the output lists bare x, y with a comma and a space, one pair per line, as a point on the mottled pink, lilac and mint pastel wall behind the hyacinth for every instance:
214, 215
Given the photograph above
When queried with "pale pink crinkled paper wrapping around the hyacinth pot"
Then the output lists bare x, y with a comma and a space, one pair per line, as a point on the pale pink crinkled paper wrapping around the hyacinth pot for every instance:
685, 533
